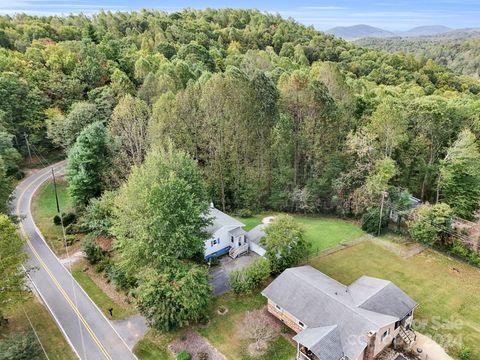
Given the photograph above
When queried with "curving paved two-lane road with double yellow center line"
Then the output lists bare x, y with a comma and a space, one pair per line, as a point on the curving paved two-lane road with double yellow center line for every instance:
88, 331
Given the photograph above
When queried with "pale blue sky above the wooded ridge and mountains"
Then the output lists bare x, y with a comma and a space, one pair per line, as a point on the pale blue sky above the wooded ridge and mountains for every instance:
322, 14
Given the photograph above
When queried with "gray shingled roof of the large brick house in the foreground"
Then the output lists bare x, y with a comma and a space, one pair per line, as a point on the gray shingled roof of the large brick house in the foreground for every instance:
320, 301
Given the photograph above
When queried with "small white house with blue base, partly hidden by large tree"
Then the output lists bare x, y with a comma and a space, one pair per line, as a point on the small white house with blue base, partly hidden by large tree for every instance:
228, 236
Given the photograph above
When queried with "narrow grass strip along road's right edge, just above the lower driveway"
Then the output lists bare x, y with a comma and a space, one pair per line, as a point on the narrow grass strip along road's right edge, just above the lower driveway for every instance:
103, 301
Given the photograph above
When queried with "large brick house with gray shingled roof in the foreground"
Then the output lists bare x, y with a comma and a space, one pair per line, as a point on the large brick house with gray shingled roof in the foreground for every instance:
338, 322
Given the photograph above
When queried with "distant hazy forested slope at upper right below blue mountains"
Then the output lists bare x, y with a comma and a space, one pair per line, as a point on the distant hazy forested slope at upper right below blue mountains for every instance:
460, 55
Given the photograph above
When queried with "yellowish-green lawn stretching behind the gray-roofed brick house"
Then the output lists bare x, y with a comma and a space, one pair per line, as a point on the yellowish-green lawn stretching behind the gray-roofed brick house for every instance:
447, 290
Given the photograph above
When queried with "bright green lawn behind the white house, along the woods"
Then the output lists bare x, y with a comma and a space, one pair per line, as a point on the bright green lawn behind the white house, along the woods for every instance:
321, 232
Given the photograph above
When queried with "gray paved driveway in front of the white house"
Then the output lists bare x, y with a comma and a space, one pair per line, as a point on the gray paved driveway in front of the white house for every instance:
219, 274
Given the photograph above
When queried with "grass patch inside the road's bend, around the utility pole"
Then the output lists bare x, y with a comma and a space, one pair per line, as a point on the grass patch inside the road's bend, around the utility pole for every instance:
44, 208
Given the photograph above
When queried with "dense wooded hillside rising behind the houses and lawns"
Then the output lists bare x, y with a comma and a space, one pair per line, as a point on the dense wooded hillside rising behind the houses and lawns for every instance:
276, 114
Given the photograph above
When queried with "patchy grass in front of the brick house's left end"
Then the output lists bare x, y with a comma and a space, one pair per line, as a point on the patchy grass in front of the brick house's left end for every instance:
223, 330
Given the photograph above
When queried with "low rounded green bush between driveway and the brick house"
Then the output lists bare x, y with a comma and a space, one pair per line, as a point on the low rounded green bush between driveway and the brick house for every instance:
248, 279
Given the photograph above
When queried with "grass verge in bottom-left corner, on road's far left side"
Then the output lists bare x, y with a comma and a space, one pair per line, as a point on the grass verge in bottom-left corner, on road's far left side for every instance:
55, 344
